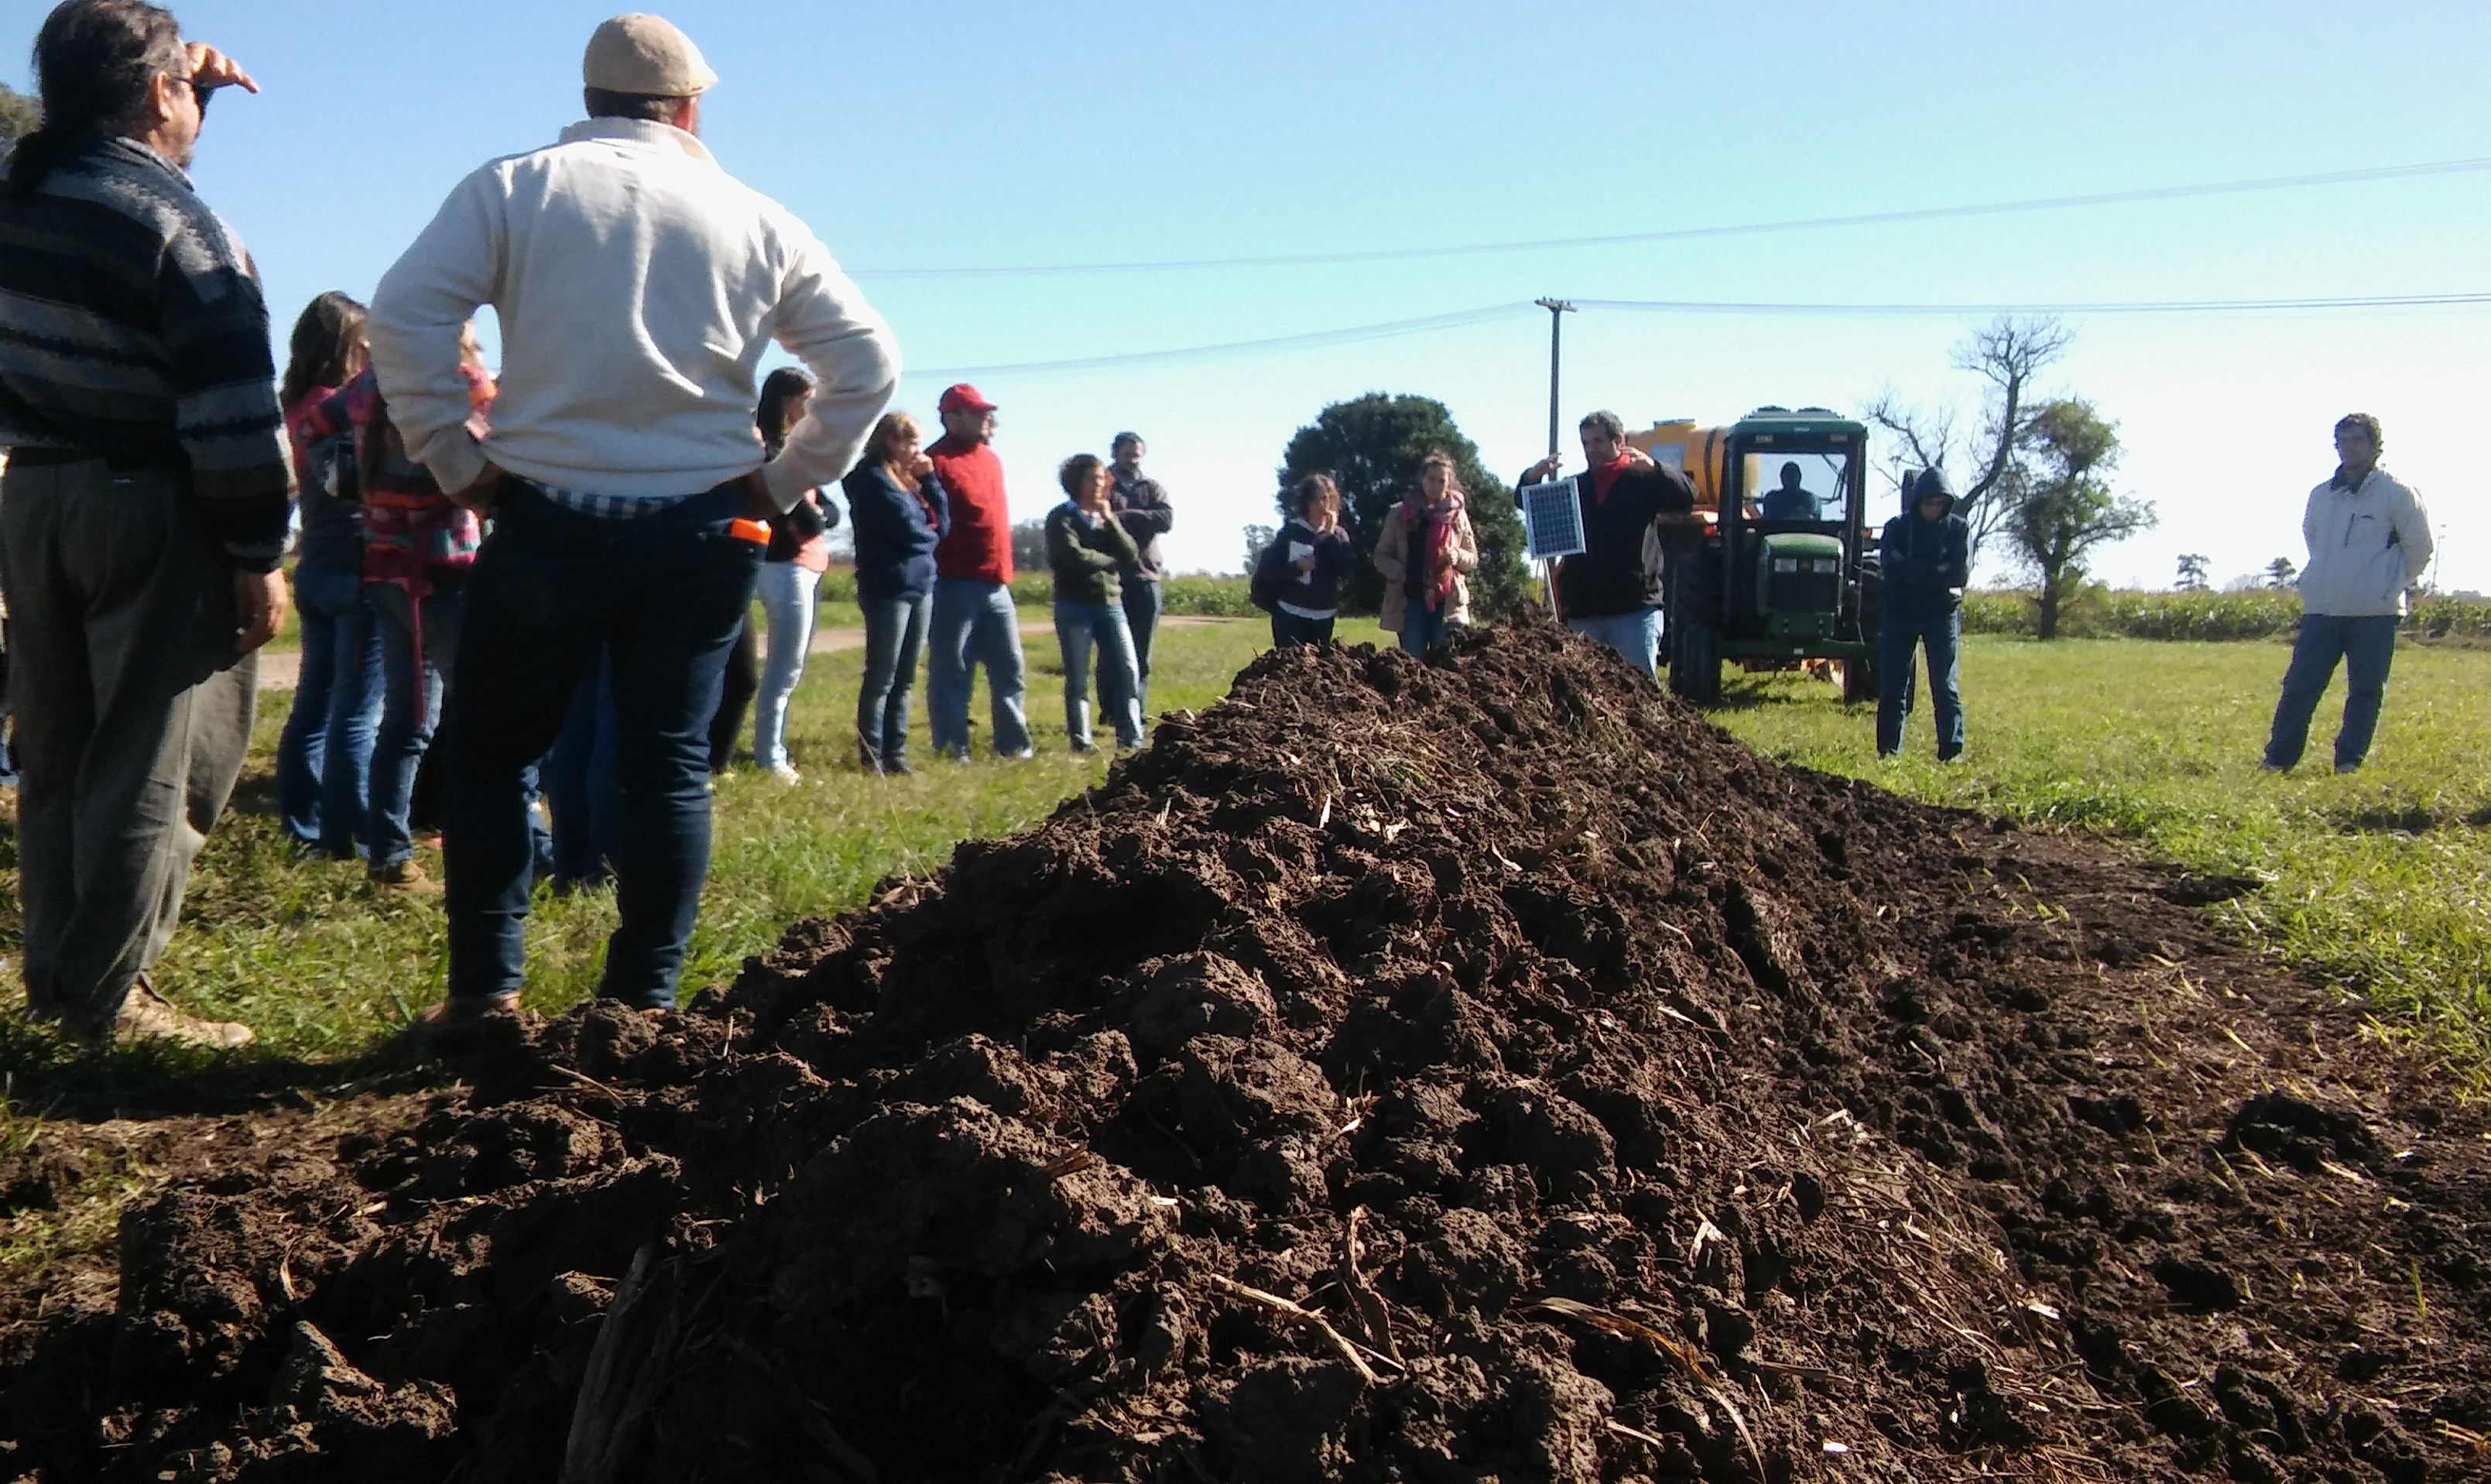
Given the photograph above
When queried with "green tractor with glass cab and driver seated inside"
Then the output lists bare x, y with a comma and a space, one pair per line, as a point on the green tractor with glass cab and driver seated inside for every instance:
1777, 566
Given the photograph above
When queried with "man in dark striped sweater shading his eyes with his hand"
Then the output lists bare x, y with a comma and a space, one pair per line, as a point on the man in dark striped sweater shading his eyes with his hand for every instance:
141, 517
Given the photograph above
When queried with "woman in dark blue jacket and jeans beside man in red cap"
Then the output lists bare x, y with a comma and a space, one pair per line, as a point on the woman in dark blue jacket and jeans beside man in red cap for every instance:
898, 512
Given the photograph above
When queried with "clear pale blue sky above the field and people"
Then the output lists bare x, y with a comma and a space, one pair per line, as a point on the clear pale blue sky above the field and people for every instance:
990, 133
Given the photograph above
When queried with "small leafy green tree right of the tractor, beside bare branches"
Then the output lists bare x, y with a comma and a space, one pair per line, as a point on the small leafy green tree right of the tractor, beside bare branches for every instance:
2061, 504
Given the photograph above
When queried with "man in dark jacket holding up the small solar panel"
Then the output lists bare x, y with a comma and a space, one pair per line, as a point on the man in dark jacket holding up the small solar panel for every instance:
1610, 591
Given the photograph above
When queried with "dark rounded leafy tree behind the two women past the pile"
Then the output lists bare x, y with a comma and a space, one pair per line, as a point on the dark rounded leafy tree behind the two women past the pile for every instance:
1374, 447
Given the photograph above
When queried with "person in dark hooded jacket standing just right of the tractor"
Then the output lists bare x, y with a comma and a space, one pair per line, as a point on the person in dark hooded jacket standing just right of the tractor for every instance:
1927, 556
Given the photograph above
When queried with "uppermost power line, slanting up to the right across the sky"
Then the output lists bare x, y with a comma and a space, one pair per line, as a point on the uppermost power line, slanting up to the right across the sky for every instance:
1384, 255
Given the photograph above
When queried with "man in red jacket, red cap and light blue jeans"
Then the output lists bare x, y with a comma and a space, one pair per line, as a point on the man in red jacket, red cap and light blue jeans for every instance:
973, 621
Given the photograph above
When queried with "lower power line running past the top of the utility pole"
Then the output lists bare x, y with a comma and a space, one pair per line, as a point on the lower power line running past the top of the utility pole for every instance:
1493, 312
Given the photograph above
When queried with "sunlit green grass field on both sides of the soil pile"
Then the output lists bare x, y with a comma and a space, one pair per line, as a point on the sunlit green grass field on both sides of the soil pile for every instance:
2375, 880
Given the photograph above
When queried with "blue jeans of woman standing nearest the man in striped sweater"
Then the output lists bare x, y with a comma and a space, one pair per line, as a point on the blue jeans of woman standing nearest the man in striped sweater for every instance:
325, 753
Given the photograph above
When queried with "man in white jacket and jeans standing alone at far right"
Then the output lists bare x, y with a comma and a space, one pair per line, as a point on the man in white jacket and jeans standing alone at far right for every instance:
2370, 542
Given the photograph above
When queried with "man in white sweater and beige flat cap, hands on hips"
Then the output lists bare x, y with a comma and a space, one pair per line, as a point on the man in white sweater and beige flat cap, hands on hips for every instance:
636, 288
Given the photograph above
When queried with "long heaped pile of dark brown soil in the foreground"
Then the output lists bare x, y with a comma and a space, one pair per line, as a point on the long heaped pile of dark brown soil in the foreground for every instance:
1429, 1072
